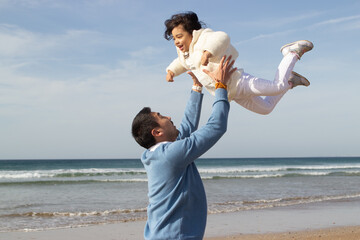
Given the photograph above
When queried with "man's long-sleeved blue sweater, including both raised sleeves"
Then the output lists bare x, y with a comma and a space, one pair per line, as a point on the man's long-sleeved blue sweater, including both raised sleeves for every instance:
177, 202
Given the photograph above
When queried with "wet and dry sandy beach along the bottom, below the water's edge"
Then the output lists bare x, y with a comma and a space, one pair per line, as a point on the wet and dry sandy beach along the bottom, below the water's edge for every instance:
332, 220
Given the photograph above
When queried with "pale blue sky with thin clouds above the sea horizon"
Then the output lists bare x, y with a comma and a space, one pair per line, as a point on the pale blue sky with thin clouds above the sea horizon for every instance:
73, 74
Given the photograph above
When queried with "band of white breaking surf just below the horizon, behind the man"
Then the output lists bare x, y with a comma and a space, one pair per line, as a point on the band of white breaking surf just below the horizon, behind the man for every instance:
69, 176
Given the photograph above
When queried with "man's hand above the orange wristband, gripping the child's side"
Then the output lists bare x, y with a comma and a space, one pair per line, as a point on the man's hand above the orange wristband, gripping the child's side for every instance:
223, 72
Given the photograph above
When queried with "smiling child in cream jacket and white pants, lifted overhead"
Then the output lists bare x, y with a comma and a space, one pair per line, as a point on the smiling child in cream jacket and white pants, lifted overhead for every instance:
200, 49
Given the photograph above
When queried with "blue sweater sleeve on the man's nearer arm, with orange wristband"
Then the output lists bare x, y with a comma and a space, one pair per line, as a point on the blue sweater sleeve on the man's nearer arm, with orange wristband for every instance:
183, 152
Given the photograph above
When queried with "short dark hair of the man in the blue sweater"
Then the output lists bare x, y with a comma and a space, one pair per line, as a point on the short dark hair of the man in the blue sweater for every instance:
143, 123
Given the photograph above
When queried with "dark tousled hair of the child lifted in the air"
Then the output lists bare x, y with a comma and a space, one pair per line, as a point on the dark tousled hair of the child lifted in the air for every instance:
188, 20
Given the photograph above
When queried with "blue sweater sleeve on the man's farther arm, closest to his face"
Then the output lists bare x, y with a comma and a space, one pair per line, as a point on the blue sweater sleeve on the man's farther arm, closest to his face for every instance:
190, 121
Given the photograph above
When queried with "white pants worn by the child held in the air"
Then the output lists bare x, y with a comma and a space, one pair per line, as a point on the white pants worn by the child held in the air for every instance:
250, 88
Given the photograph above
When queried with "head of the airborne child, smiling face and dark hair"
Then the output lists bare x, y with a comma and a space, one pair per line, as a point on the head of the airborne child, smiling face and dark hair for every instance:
180, 27
